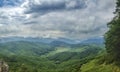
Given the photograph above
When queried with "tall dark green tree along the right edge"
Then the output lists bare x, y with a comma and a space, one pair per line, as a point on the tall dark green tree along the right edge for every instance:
113, 36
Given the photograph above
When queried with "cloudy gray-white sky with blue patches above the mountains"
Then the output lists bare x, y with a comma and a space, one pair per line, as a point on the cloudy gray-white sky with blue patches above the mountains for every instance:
74, 19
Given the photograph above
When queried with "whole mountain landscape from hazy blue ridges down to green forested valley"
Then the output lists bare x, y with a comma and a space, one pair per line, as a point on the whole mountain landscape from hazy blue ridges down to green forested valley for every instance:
48, 54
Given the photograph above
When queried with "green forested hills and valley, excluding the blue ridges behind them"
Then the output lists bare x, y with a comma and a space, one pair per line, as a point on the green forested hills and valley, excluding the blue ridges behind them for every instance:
35, 57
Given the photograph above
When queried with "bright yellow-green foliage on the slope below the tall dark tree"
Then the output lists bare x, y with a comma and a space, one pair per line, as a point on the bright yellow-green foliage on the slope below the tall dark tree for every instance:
94, 66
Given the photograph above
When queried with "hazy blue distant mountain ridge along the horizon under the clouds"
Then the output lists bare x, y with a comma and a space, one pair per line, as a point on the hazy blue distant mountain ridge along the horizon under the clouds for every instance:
97, 40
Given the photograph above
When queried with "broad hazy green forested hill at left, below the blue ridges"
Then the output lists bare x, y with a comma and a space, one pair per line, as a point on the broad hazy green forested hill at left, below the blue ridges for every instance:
24, 48
